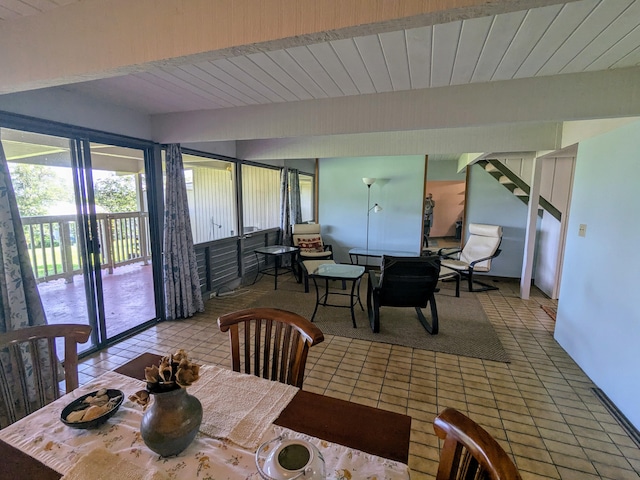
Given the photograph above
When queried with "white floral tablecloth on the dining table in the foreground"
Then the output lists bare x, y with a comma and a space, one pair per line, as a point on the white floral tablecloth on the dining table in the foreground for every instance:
43, 436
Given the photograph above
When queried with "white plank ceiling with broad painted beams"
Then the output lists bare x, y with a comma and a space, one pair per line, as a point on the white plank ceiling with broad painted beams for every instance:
408, 80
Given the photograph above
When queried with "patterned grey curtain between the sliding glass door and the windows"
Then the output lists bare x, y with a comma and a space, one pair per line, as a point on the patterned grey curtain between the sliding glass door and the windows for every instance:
182, 292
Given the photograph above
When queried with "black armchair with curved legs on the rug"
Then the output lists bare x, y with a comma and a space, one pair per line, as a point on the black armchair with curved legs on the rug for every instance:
404, 282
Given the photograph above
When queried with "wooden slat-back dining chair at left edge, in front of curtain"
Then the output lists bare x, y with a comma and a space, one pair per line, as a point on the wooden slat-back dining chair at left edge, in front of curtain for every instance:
30, 369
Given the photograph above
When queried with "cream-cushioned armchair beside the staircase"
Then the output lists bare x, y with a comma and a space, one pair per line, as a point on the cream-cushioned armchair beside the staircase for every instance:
482, 246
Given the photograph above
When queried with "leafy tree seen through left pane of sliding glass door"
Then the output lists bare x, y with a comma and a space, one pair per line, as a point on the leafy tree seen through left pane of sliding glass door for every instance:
36, 187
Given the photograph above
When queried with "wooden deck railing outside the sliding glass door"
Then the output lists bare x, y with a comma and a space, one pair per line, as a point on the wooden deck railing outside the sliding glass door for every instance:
54, 250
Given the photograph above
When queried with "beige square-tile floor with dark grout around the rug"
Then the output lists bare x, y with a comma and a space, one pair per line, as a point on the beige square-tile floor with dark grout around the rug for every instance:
540, 406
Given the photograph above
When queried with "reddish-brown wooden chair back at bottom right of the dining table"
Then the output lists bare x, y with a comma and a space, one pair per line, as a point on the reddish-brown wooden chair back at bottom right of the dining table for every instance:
469, 451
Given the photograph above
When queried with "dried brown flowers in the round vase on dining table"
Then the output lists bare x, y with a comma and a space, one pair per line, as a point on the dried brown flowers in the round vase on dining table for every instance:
174, 371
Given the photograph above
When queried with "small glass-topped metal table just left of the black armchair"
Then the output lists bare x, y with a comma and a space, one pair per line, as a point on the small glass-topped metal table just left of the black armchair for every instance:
344, 273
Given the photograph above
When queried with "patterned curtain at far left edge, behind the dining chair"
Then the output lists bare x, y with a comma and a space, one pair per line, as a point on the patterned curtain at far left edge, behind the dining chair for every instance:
20, 304
